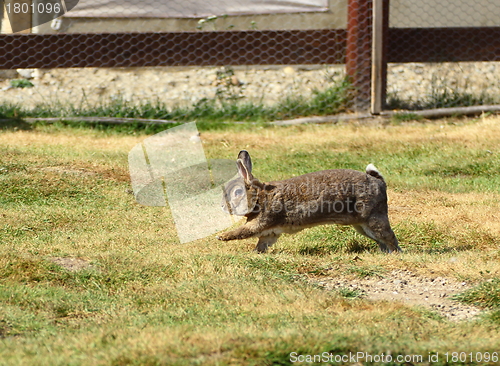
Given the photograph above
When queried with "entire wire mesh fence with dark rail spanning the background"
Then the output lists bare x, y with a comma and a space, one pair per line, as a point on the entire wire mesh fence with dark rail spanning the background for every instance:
244, 60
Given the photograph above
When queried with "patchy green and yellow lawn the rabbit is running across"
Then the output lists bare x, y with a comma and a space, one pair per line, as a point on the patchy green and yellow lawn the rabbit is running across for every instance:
135, 296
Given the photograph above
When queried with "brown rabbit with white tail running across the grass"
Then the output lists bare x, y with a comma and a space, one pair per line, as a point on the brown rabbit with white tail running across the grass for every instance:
339, 196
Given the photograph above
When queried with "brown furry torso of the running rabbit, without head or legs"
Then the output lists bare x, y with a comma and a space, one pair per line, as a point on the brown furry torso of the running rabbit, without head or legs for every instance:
340, 196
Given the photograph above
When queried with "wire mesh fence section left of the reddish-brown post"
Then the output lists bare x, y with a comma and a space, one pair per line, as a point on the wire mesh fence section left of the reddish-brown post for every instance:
238, 59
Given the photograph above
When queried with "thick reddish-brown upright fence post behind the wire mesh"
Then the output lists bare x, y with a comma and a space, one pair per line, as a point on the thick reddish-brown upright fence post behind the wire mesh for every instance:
359, 50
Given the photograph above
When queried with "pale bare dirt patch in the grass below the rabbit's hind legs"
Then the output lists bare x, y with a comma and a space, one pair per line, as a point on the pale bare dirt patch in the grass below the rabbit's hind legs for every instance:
434, 293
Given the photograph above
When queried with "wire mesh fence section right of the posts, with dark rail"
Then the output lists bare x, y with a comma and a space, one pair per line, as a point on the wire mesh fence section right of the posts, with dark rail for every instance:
458, 42
